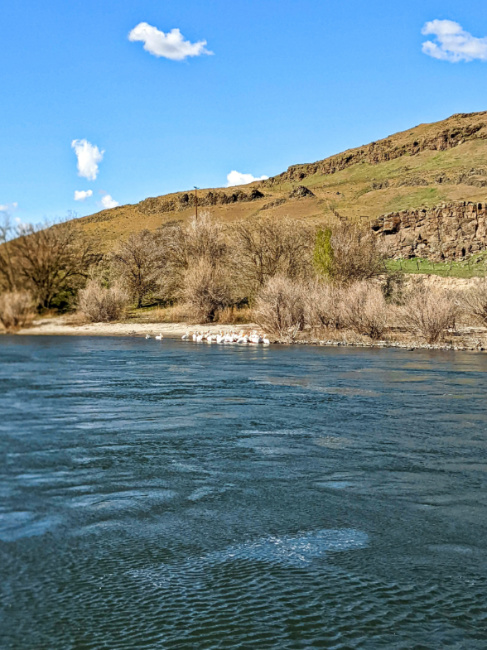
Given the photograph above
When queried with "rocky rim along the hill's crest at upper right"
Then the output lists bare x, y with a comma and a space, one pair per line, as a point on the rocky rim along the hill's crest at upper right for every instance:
437, 137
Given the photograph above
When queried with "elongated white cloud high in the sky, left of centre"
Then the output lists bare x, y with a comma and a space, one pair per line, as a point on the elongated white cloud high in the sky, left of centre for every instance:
171, 45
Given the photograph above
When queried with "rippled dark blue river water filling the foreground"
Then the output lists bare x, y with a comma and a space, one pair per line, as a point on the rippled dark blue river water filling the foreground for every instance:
181, 496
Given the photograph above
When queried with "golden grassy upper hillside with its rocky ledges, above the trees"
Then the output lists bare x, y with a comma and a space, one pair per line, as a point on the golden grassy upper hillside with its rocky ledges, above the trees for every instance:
423, 166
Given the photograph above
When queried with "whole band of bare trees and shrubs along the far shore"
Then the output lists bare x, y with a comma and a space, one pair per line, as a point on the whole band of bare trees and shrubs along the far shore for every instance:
295, 282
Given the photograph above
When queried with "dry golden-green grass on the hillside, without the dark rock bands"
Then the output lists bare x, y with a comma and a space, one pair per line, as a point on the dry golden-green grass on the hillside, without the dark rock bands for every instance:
361, 190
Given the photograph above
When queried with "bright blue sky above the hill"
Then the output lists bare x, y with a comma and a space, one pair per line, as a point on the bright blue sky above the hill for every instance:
289, 81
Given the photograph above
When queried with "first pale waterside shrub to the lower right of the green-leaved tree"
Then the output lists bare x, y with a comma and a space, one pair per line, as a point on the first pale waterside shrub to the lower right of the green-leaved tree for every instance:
365, 309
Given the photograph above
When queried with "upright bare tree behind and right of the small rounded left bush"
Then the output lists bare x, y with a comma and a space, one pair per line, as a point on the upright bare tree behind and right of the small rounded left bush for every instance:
137, 264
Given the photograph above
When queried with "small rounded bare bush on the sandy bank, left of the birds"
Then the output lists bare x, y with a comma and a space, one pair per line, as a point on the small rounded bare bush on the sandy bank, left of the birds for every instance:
100, 304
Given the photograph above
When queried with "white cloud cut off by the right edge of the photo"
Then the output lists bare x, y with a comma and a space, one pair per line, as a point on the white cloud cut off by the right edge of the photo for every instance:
453, 43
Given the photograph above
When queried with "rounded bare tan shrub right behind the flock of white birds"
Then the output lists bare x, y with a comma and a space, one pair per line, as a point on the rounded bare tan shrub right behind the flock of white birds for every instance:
205, 290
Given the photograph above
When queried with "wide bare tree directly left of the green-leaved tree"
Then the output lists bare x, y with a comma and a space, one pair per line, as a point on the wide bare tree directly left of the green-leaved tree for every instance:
269, 246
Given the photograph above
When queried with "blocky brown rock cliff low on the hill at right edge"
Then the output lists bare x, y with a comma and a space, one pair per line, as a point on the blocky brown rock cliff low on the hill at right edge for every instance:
446, 232
